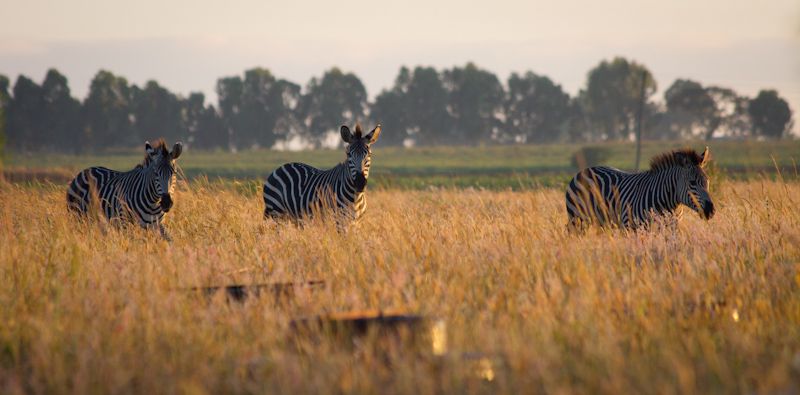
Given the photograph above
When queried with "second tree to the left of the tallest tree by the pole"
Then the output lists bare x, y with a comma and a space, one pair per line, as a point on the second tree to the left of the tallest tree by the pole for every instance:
475, 98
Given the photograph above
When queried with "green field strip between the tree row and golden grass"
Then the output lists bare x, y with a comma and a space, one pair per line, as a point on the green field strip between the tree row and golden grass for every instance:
495, 167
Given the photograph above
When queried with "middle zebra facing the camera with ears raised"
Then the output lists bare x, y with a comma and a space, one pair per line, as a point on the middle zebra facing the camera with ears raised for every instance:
297, 190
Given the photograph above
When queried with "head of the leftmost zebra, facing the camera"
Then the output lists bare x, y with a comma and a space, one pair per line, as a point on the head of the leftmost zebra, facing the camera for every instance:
161, 162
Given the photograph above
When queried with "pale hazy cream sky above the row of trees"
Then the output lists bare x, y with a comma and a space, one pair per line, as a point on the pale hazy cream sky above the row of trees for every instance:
186, 45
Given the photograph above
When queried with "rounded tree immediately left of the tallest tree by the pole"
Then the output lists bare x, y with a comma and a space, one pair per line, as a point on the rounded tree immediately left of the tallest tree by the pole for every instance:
536, 109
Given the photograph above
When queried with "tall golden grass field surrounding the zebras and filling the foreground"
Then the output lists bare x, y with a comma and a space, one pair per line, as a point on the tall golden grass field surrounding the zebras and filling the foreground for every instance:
710, 307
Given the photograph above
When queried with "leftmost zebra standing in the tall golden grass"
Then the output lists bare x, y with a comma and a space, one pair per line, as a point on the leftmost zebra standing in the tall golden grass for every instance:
143, 194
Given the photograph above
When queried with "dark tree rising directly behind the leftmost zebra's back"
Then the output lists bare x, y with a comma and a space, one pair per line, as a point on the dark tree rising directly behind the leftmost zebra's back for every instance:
107, 112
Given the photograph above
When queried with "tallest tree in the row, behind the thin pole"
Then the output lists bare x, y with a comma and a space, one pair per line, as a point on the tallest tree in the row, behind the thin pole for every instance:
612, 95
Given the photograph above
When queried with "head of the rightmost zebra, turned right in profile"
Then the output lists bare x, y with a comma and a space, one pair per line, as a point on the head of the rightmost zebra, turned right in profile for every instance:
693, 182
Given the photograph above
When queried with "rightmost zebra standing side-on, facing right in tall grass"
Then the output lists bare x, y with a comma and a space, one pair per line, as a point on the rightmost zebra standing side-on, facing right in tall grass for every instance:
604, 195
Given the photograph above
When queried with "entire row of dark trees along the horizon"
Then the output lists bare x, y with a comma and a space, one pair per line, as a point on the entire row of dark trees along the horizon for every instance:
425, 107
